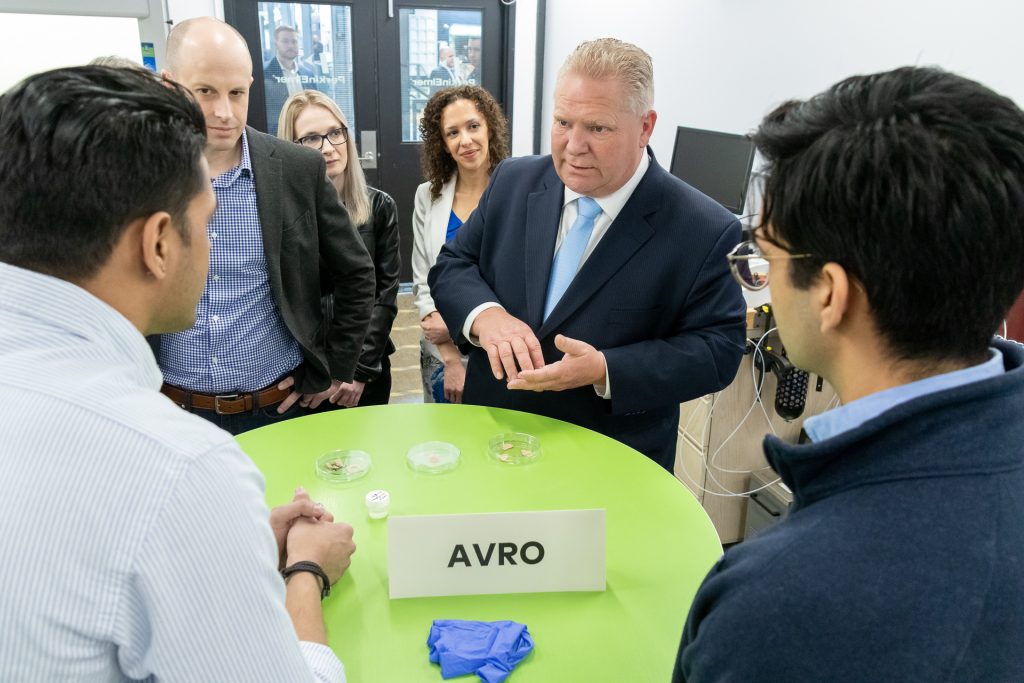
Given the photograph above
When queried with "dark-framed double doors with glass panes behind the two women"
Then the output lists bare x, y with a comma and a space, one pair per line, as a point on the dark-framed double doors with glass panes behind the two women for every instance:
380, 61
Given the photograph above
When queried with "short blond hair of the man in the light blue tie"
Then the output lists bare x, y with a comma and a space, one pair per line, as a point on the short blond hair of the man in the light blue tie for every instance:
608, 59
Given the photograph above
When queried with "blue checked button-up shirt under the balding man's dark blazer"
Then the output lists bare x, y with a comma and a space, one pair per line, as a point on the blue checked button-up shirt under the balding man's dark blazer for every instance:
240, 341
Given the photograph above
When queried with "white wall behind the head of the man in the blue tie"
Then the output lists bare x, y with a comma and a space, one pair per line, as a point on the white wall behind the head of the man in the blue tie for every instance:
722, 65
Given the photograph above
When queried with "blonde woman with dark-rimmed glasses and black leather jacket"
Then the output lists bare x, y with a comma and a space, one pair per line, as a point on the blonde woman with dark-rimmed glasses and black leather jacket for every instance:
314, 120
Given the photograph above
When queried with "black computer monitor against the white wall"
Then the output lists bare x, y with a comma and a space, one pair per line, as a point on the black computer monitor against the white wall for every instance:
717, 164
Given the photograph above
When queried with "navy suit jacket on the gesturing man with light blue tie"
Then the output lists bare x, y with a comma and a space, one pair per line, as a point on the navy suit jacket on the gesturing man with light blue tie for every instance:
656, 296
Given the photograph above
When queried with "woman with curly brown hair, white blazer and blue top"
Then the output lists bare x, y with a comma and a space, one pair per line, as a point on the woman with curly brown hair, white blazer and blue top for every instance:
464, 137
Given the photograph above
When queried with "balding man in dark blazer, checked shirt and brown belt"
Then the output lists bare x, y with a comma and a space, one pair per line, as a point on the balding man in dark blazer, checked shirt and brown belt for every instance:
259, 352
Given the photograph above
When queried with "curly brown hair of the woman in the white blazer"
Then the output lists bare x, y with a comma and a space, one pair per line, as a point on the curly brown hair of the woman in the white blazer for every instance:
435, 158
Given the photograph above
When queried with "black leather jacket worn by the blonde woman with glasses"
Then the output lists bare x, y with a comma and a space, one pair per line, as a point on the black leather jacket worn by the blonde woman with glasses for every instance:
380, 235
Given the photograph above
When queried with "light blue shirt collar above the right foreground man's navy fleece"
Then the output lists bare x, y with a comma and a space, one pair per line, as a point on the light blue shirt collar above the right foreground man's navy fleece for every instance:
858, 413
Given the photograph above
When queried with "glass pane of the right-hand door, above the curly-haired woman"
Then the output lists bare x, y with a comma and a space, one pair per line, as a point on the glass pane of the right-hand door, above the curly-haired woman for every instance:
440, 49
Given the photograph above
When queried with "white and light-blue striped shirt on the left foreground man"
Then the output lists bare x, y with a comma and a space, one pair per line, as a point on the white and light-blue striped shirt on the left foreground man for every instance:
137, 541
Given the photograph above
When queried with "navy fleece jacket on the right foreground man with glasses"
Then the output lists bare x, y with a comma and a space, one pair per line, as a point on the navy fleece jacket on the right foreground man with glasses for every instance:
901, 560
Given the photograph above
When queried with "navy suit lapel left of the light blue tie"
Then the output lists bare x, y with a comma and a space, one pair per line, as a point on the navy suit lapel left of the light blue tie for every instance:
544, 210
